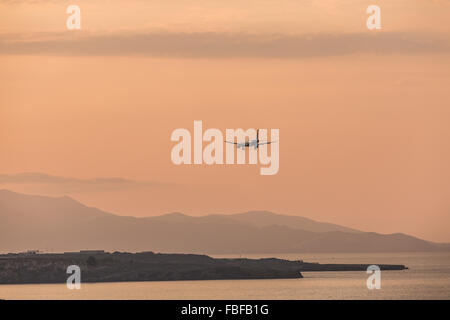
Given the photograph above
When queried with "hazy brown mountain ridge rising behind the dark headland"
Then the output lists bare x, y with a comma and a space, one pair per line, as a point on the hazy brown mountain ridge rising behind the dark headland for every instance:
64, 224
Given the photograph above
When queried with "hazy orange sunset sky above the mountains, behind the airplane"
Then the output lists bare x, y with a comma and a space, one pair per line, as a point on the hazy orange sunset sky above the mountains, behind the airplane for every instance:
363, 119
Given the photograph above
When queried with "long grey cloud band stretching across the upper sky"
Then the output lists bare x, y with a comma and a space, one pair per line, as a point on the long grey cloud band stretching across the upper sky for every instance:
224, 45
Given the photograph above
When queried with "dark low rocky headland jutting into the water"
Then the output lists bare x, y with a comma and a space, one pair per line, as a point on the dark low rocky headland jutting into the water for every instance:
149, 266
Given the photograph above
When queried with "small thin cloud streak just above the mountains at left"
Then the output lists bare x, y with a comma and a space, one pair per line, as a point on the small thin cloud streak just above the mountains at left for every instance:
73, 185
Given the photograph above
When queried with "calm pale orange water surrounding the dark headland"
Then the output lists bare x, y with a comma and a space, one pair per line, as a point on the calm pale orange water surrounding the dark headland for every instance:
427, 278
